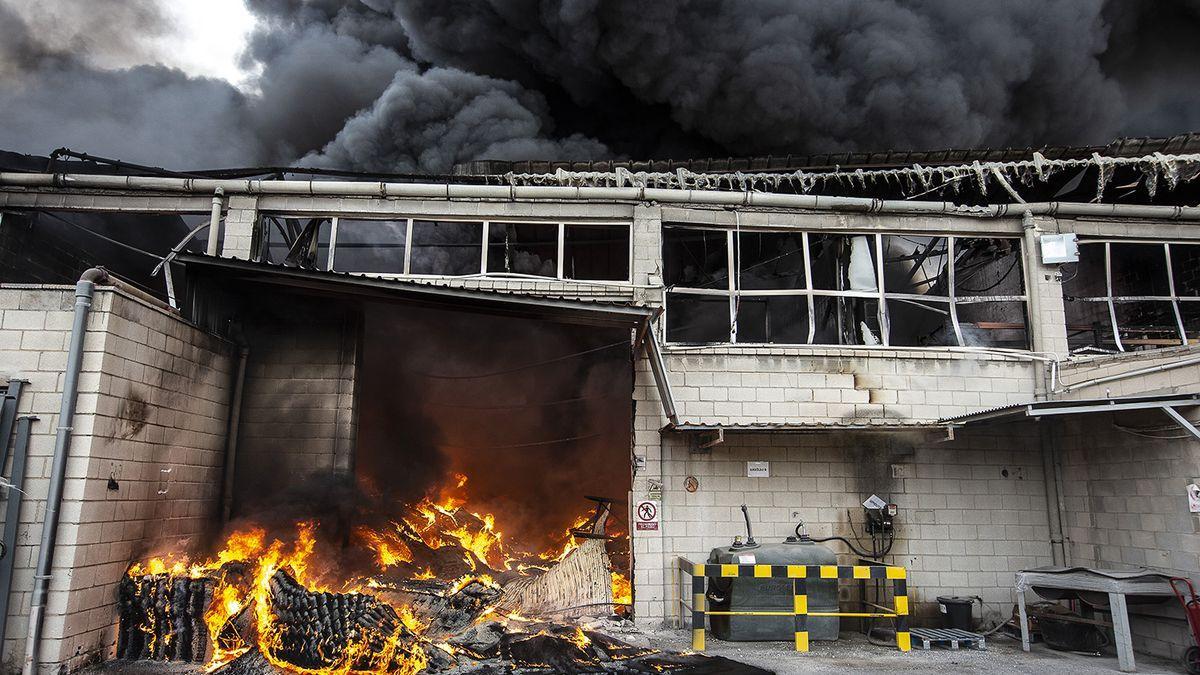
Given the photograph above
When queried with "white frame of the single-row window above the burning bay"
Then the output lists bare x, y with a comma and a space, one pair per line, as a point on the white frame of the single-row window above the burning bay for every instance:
409, 220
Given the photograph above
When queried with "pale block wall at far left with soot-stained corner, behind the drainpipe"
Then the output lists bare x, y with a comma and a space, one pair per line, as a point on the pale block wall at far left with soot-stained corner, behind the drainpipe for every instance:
152, 416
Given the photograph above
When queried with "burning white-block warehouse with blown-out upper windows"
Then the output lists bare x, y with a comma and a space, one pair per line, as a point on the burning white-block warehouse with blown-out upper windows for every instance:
411, 426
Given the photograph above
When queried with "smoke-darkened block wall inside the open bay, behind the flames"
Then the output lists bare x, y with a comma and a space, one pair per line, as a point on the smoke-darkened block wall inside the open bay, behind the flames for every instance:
298, 416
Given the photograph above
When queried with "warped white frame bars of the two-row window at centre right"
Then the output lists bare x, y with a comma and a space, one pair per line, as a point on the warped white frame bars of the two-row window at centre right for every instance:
952, 300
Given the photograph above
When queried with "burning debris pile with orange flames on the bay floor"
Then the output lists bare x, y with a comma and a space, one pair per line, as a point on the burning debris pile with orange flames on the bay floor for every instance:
447, 595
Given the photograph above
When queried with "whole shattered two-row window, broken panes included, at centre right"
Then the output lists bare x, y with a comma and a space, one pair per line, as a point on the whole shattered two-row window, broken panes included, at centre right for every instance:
927, 282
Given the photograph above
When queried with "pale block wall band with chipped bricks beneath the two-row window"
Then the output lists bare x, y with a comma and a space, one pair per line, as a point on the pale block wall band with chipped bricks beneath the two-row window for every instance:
811, 386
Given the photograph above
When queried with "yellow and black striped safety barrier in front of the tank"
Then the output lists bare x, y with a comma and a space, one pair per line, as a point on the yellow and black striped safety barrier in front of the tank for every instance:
800, 575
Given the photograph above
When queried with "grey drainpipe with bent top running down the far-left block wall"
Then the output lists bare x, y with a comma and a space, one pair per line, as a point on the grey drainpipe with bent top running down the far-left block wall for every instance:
85, 291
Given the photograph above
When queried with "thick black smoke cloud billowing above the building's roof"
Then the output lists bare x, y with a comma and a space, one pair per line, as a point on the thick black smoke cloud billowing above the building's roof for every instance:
419, 86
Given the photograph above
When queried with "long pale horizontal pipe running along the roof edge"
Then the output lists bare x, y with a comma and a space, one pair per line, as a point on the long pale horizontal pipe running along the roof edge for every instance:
562, 193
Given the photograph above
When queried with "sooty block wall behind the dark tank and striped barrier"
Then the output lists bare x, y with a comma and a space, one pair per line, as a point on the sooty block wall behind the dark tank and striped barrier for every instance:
971, 511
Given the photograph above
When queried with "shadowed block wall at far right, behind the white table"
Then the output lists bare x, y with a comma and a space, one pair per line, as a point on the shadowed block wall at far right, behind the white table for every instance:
1127, 507
